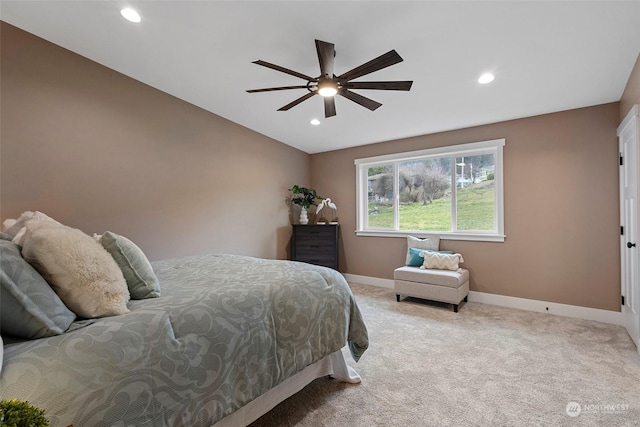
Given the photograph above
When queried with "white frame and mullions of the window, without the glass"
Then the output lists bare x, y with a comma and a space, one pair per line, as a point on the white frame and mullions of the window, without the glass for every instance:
494, 146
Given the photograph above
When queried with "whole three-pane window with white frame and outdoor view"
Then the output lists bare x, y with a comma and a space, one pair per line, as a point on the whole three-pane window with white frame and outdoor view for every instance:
455, 192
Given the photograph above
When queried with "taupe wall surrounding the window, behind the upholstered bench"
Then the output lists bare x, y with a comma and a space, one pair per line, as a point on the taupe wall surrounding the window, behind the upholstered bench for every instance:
561, 209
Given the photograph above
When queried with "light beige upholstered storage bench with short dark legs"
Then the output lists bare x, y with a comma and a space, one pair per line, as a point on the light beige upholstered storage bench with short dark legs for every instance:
436, 285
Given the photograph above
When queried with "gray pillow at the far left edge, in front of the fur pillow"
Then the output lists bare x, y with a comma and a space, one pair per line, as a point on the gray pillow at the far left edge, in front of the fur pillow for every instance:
29, 308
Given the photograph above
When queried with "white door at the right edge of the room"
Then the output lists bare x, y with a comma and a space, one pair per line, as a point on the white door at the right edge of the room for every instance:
629, 244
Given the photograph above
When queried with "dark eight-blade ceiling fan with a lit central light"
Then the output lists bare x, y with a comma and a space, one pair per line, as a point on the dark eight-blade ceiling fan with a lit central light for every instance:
328, 84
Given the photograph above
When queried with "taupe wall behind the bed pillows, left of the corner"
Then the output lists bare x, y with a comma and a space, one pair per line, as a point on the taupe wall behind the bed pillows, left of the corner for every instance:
98, 150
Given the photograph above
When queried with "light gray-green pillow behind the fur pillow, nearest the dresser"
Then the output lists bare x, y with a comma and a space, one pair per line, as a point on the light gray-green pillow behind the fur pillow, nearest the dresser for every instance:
141, 279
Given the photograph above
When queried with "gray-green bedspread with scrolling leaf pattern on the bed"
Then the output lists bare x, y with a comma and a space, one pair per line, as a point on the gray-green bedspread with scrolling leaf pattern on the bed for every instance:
225, 330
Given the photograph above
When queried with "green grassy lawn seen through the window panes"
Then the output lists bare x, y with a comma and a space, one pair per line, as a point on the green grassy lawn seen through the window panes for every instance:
475, 211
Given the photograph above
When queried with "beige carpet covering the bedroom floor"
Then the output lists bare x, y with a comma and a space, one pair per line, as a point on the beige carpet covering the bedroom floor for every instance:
484, 366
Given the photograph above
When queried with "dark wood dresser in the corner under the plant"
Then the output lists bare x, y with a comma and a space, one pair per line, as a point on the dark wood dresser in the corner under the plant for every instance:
315, 244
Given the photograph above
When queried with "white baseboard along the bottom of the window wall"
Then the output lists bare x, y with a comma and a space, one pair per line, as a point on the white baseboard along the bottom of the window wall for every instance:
586, 313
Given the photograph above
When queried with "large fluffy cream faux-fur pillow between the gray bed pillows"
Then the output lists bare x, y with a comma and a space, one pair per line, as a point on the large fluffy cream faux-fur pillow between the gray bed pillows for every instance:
79, 269
